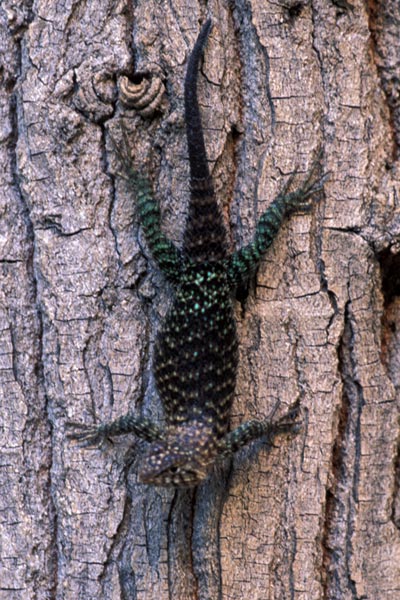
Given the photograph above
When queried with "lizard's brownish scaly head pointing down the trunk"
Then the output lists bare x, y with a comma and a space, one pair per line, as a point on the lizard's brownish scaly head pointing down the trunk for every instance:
182, 458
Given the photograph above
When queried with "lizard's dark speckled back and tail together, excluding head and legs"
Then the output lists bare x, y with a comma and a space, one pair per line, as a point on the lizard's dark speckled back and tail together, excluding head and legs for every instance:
195, 358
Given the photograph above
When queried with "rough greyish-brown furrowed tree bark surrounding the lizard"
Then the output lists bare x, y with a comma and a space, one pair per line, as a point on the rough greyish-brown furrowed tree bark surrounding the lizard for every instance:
317, 516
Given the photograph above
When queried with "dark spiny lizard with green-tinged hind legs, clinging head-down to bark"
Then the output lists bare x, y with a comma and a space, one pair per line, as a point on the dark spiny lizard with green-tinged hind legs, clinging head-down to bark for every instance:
196, 350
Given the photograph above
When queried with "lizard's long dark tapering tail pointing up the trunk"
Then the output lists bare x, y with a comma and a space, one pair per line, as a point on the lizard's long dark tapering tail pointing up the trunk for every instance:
205, 235
